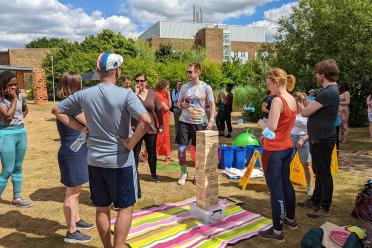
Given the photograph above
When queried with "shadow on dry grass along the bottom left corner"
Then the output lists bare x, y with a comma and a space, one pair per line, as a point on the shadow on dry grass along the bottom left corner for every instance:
20, 240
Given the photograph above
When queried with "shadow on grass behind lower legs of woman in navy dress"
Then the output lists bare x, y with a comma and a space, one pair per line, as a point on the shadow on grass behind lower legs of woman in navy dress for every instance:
57, 194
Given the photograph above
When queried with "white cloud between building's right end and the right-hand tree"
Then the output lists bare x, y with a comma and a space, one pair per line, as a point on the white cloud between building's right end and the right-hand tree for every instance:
272, 17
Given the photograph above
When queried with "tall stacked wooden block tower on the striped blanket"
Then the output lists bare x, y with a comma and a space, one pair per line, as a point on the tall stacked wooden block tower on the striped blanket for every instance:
206, 169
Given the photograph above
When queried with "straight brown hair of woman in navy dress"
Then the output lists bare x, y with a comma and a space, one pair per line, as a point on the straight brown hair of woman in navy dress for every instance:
69, 83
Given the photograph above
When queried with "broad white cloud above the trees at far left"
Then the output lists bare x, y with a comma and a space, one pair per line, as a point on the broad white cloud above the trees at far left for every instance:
24, 20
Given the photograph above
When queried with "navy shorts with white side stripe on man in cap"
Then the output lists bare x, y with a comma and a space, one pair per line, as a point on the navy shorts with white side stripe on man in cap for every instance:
118, 186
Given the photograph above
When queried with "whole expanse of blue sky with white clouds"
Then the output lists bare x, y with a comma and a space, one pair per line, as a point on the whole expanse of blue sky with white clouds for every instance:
75, 19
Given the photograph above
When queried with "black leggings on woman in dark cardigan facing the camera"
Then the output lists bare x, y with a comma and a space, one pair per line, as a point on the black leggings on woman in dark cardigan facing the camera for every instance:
150, 142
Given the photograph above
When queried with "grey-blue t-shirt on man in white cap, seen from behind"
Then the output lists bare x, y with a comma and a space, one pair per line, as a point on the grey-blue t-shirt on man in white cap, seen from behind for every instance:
108, 110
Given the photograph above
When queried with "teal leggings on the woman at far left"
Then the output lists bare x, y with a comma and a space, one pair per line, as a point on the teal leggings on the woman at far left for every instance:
13, 145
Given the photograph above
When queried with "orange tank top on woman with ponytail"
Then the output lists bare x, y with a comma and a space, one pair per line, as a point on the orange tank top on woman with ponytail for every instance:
282, 139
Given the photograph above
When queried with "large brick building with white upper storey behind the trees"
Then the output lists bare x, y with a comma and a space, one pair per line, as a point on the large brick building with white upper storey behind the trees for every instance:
222, 42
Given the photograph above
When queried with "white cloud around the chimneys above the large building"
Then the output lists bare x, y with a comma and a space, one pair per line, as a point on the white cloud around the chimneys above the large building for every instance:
147, 12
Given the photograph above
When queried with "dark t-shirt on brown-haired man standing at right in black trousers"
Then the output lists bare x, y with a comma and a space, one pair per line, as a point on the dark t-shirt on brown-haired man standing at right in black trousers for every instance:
321, 124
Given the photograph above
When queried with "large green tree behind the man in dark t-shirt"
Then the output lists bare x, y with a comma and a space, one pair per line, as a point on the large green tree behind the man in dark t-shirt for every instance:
322, 29
